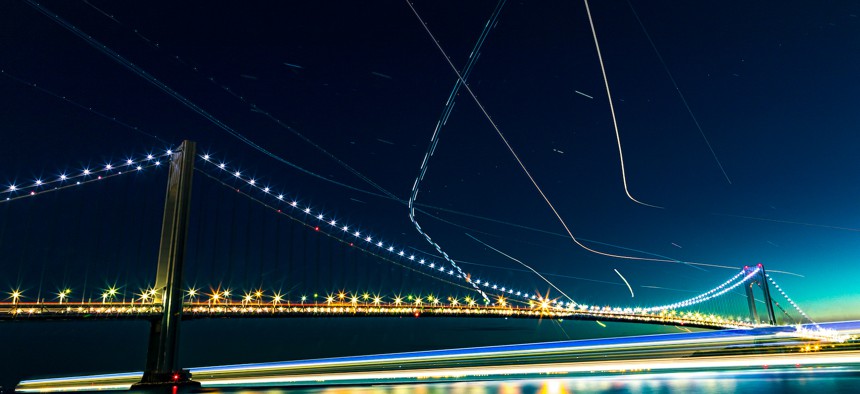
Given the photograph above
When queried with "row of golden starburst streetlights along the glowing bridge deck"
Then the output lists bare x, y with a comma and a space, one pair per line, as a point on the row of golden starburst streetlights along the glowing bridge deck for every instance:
259, 301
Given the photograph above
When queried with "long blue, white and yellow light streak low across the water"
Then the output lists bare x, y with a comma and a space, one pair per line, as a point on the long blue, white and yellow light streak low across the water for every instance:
714, 351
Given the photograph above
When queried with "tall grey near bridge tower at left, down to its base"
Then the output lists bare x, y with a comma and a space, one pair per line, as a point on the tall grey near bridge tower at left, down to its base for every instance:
162, 354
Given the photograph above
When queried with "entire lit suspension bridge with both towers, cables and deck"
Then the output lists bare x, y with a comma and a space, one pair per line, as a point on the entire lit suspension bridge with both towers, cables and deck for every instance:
169, 300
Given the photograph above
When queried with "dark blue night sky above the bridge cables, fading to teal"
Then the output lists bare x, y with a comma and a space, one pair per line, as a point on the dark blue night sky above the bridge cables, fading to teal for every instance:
772, 84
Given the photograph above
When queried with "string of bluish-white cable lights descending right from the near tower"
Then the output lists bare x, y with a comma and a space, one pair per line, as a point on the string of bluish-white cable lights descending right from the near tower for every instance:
367, 238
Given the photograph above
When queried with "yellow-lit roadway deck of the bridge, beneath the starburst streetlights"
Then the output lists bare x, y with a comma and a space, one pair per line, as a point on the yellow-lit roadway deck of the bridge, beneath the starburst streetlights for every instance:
29, 311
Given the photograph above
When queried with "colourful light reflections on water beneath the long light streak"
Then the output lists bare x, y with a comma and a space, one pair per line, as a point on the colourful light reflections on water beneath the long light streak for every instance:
838, 380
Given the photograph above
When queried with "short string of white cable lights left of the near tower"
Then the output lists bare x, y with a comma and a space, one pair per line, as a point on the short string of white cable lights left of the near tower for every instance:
84, 175
